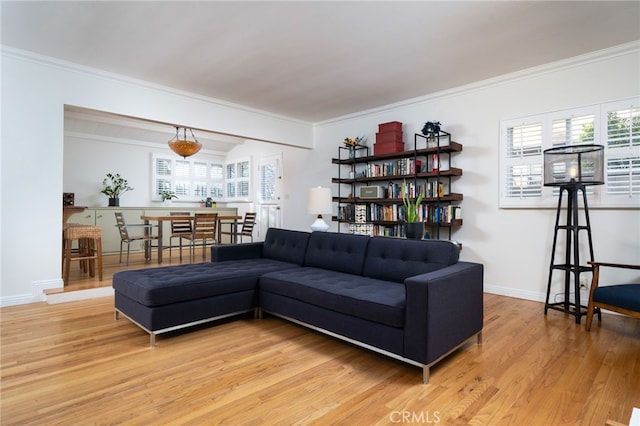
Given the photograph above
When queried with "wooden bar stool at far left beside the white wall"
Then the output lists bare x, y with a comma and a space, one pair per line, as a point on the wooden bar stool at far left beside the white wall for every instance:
89, 249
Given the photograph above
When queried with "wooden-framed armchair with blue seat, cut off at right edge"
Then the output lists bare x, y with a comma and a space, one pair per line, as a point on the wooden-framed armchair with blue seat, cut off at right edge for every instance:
621, 298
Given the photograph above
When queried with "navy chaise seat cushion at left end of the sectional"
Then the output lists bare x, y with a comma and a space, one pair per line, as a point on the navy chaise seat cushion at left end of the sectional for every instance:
173, 284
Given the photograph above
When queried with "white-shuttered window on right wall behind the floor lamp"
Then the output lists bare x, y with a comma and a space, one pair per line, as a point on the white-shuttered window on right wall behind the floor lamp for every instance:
614, 125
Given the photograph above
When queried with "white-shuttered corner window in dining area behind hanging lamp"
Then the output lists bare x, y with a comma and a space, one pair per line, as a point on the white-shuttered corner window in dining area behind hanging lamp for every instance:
196, 180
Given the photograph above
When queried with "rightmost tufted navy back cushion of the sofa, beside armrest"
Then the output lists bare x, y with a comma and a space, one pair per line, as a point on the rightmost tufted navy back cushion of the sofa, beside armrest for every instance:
394, 259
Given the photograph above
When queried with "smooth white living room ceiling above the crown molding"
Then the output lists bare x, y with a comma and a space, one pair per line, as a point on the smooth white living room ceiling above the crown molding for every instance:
313, 61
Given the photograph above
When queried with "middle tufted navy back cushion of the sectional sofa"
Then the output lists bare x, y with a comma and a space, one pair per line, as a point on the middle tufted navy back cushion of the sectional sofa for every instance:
337, 252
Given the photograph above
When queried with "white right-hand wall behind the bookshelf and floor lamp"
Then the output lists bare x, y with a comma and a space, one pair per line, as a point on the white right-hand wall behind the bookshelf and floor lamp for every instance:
514, 245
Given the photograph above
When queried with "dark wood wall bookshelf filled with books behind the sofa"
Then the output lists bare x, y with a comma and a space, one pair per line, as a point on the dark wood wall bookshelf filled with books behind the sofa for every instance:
427, 168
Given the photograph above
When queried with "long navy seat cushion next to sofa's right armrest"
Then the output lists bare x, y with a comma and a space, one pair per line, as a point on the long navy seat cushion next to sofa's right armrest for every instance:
374, 300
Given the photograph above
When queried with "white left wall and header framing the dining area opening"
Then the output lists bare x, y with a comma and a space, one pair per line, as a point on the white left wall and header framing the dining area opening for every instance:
34, 92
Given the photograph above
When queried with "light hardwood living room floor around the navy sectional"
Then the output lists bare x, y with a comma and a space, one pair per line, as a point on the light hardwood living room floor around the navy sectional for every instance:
73, 363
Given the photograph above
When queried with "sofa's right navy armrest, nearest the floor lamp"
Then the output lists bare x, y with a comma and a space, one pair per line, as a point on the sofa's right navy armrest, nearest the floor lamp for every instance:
443, 309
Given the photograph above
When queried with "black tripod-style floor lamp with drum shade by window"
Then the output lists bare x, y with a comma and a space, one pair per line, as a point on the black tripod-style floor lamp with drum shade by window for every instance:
572, 168
